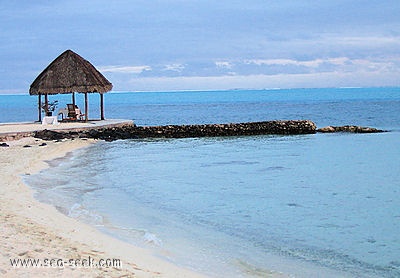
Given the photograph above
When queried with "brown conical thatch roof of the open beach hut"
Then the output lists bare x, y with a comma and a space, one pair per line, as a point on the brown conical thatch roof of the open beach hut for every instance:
69, 73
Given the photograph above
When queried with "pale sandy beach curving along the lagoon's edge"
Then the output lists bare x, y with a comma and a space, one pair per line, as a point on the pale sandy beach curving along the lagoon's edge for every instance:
33, 230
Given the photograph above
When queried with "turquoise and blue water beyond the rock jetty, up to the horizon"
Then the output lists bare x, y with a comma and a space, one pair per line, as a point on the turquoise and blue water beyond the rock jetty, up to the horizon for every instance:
362, 106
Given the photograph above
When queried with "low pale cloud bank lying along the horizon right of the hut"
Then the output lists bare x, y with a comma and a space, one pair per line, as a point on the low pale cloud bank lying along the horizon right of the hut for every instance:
362, 78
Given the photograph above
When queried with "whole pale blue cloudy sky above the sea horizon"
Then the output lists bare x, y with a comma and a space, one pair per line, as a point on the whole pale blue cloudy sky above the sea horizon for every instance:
160, 45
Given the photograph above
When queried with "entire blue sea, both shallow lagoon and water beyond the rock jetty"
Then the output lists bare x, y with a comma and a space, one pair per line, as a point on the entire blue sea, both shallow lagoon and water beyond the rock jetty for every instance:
323, 205
